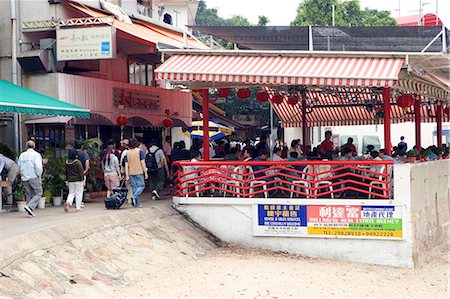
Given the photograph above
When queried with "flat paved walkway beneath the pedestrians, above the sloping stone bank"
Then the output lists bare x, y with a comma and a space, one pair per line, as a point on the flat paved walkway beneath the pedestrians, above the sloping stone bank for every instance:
15, 223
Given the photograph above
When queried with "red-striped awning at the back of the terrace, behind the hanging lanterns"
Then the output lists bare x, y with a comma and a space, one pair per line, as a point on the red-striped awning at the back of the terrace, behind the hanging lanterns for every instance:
346, 107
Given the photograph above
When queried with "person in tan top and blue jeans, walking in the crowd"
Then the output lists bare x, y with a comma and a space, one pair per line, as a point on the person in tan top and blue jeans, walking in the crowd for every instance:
135, 171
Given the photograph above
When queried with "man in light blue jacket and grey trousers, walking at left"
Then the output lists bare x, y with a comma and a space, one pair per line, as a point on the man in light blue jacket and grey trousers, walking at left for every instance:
30, 168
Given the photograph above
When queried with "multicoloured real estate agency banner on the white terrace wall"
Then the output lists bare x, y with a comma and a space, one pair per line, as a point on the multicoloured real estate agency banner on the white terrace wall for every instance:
383, 222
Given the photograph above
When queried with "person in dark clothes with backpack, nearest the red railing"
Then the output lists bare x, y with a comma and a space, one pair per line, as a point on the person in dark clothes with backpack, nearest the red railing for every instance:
156, 163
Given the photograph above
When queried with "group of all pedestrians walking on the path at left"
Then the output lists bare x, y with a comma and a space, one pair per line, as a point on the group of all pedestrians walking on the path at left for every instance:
129, 166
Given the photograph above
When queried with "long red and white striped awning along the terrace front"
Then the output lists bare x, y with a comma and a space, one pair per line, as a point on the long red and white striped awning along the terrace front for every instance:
281, 70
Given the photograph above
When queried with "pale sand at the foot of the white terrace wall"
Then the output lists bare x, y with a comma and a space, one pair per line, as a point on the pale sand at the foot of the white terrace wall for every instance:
232, 272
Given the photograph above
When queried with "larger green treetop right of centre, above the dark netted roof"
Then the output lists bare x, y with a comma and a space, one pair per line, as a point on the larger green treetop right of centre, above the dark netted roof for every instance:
347, 13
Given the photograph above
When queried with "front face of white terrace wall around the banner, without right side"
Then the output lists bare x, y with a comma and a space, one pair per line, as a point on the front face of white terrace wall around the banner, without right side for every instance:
232, 223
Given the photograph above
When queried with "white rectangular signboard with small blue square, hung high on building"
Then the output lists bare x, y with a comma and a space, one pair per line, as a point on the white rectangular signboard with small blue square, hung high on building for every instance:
85, 43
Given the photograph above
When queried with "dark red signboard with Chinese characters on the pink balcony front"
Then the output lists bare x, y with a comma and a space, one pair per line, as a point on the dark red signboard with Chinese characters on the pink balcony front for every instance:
136, 99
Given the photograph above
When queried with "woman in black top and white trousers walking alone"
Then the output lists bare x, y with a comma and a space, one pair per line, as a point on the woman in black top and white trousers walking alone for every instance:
75, 179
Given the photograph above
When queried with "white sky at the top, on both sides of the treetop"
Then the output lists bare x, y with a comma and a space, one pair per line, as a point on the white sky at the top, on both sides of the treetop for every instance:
282, 12
